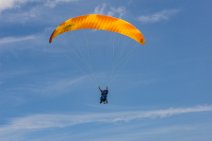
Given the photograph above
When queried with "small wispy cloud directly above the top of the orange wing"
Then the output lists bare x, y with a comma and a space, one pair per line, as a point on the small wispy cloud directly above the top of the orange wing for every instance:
110, 10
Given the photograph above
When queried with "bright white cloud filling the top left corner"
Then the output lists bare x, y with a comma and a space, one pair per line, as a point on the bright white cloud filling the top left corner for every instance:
8, 4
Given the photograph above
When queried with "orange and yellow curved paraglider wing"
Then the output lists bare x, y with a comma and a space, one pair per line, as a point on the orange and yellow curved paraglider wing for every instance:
99, 22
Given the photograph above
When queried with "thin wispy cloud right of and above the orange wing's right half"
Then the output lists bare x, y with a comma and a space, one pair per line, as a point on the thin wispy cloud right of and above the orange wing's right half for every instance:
158, 17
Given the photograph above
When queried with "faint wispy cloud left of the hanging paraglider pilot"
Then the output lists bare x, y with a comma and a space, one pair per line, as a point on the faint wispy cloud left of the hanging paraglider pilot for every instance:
50, 88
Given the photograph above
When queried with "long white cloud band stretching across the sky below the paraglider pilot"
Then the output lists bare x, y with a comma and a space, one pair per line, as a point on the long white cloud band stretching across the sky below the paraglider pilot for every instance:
64, 120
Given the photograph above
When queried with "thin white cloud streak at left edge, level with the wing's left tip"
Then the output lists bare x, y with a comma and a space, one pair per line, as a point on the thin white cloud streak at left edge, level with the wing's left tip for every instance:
7, 40
